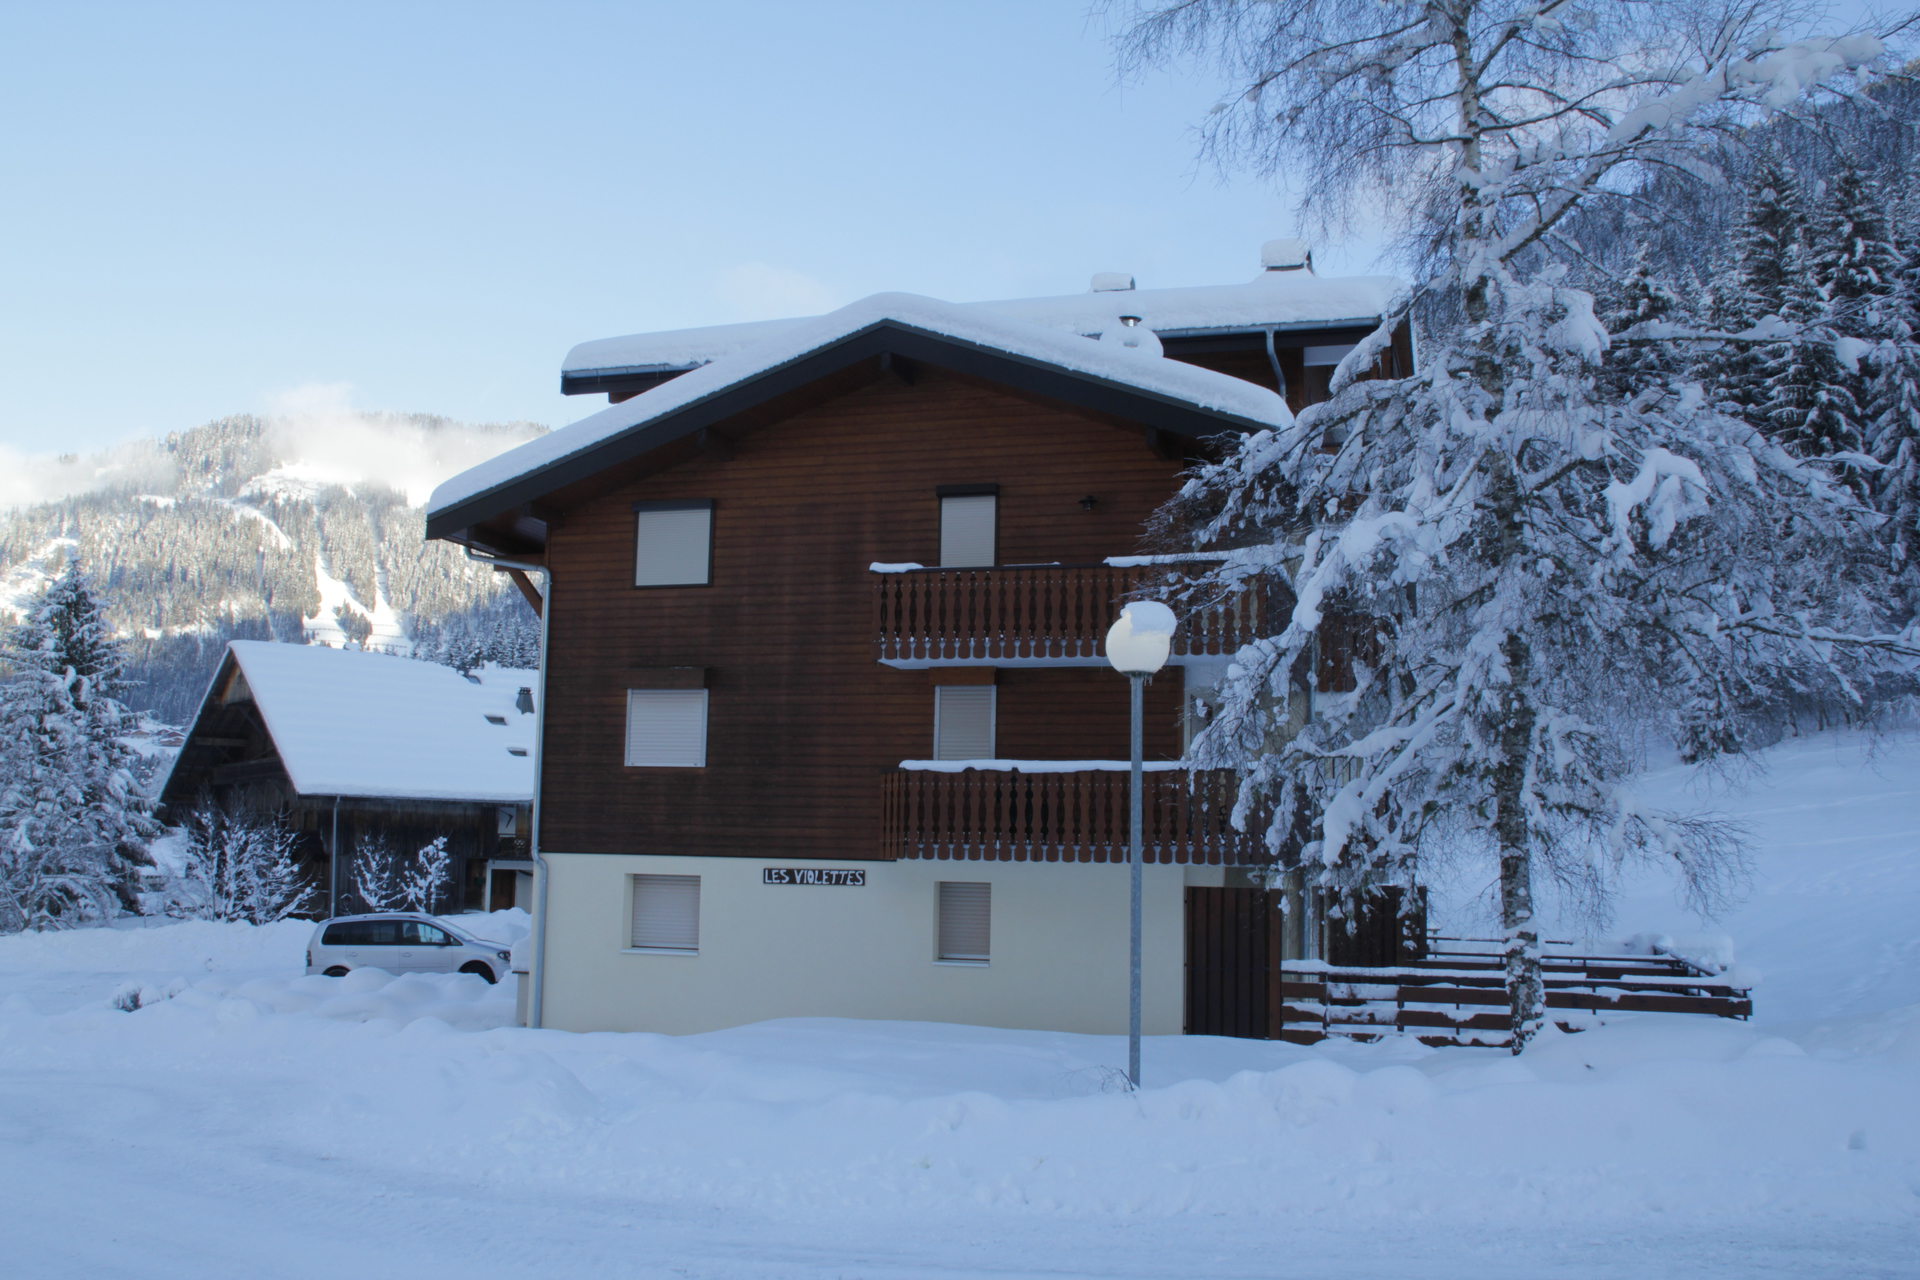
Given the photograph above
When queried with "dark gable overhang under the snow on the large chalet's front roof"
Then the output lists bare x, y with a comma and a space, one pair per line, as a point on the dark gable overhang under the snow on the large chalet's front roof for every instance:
506, 517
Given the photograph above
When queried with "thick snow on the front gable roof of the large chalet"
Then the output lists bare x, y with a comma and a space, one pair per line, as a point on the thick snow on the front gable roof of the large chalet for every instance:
788, 343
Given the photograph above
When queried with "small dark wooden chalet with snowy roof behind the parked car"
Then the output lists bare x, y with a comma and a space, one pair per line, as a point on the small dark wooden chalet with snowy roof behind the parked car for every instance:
352, 747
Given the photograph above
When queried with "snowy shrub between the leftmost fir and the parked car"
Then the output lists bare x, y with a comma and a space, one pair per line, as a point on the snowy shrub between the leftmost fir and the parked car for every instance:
239, 866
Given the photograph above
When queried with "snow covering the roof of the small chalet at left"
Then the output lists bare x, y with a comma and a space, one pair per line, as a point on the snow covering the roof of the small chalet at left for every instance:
370, 724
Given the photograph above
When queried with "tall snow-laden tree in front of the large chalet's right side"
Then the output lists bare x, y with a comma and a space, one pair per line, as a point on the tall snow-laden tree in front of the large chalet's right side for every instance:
1541, 569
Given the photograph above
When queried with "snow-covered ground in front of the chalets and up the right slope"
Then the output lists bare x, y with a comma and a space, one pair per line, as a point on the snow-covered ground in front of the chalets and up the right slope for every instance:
251, 1122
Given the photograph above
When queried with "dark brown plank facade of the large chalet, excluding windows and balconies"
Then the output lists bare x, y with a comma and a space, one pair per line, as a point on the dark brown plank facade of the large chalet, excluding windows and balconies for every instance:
804, 724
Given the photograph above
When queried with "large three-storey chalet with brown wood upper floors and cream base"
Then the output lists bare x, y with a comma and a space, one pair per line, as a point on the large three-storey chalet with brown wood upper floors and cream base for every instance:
828, 723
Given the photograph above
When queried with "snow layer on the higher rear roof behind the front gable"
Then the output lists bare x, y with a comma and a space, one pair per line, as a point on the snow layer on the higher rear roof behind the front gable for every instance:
1270, 300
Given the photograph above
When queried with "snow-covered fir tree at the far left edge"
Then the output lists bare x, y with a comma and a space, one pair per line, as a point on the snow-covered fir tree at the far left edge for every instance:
74, 818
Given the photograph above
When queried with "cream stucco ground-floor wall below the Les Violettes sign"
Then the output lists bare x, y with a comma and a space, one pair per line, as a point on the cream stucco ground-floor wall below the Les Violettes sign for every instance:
815, 951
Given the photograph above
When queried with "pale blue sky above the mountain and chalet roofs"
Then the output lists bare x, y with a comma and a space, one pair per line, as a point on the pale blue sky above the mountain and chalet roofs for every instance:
212, 208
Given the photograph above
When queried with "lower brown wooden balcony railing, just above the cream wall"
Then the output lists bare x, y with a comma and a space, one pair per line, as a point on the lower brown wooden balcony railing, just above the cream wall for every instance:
1067, 817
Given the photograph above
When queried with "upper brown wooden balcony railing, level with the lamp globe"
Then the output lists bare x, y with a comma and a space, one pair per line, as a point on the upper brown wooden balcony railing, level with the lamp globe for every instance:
1040, 613
